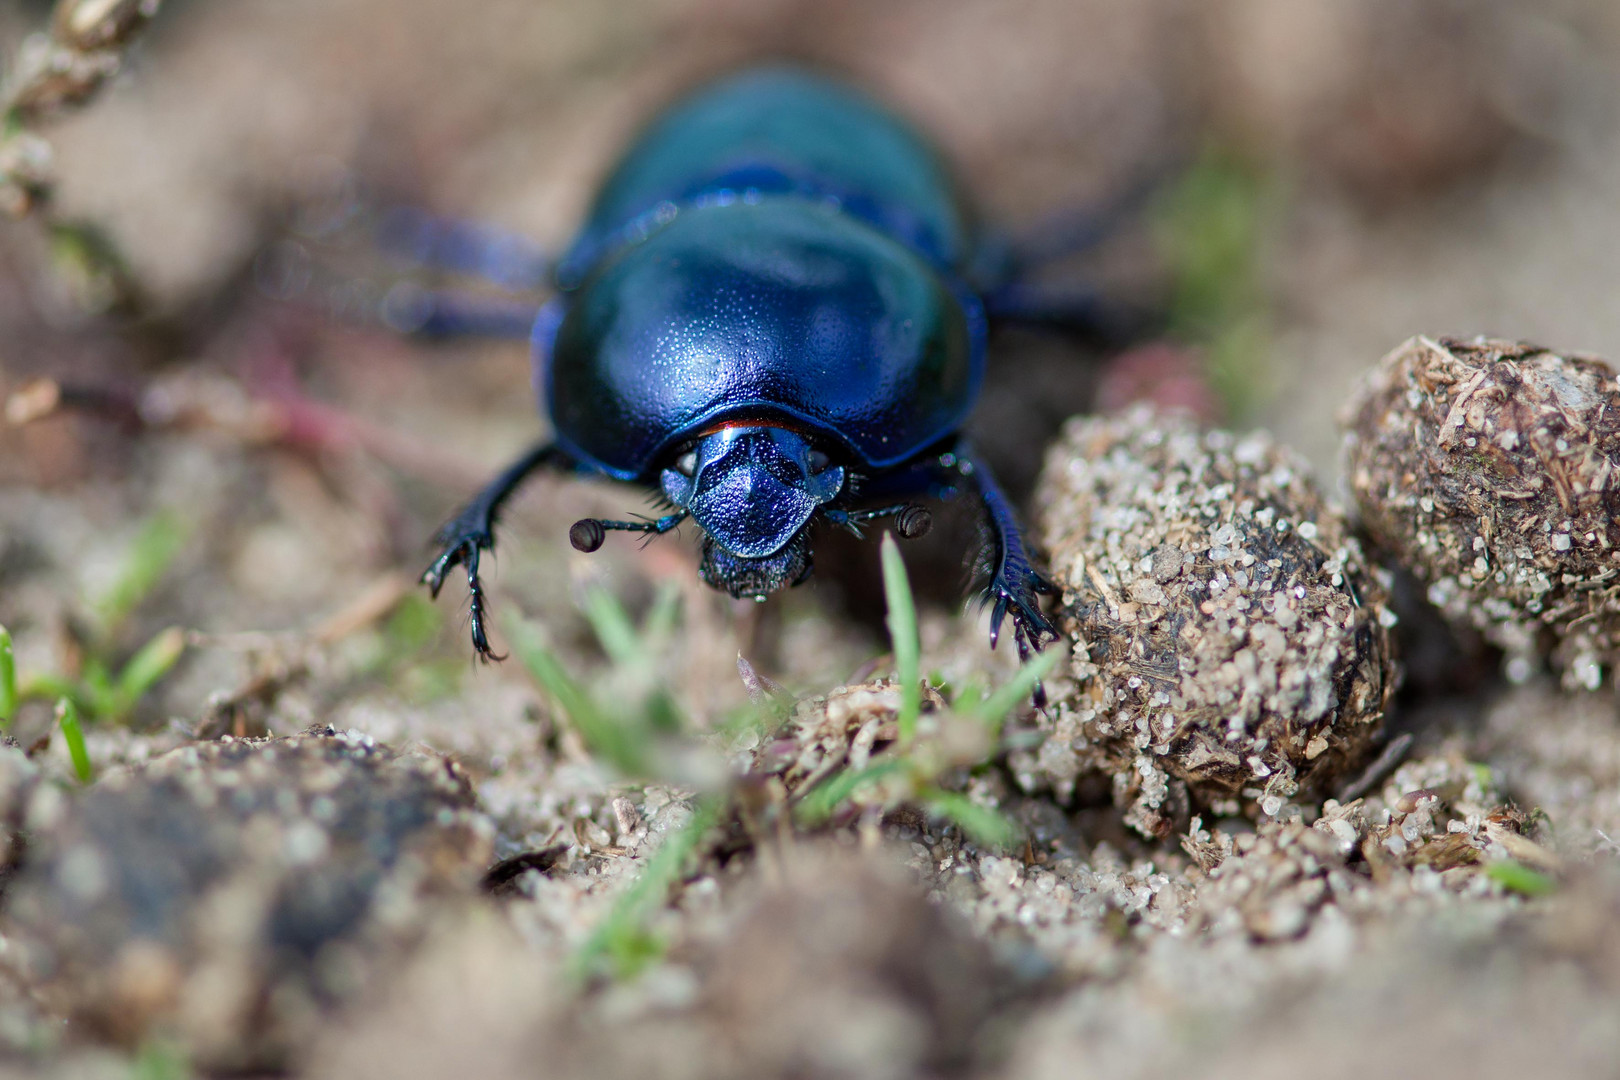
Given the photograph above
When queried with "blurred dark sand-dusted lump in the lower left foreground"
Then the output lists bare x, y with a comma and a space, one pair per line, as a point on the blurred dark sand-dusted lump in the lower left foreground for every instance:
232, 895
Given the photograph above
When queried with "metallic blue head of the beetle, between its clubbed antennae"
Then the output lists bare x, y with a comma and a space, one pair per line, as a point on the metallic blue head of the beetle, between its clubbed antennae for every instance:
754, 490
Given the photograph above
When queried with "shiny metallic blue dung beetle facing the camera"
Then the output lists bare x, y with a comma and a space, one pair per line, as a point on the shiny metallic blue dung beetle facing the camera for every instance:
775, 315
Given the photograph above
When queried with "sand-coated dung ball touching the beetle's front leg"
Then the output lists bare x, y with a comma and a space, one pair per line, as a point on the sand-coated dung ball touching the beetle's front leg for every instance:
1232, 644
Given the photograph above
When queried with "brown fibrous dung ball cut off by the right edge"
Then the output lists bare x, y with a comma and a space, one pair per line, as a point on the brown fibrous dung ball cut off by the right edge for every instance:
1490, 469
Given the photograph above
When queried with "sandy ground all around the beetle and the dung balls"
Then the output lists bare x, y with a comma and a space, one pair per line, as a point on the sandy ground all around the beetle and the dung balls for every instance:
1423, 168
